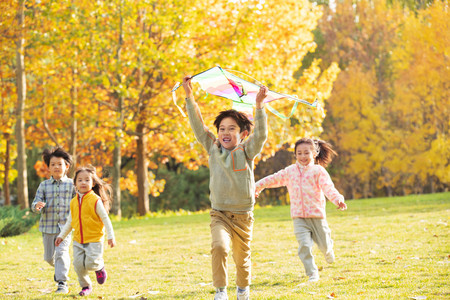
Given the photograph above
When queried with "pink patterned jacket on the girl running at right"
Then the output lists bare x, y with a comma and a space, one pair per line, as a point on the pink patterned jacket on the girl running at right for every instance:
307, 186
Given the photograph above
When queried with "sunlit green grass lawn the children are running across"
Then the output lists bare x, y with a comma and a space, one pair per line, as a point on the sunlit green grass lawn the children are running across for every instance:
386, 248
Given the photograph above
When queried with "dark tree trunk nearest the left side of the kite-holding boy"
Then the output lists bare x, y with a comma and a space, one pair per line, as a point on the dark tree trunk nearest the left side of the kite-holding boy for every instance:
142, 172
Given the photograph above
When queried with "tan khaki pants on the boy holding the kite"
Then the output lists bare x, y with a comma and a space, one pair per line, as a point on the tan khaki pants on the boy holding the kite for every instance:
236, 229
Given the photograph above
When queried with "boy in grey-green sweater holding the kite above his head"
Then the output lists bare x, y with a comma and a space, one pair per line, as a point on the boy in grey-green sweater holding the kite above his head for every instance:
232, 186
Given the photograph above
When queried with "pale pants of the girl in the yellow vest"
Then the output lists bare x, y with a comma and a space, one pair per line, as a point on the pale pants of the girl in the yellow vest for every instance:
87, 257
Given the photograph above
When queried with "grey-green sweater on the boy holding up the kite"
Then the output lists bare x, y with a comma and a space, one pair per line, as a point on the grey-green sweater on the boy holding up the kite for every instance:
232, 183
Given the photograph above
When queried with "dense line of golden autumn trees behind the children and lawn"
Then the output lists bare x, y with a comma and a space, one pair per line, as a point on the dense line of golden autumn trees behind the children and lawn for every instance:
97, 78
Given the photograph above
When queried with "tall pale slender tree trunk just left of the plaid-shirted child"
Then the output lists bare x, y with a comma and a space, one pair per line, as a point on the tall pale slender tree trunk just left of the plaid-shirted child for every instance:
22, 183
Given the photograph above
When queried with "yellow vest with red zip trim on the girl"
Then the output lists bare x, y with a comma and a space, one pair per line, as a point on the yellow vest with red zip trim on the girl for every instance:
88, 226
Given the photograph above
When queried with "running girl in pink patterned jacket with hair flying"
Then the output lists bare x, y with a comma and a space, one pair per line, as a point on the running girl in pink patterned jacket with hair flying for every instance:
308, 182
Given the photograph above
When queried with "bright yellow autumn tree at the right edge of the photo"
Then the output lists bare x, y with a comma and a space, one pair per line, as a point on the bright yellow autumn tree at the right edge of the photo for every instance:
420, 105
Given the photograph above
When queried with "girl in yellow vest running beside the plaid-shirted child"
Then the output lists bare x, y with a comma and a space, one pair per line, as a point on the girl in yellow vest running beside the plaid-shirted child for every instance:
88, 218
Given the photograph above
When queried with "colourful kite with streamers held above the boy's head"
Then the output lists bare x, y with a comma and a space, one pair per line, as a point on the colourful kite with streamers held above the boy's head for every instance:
222, 83
